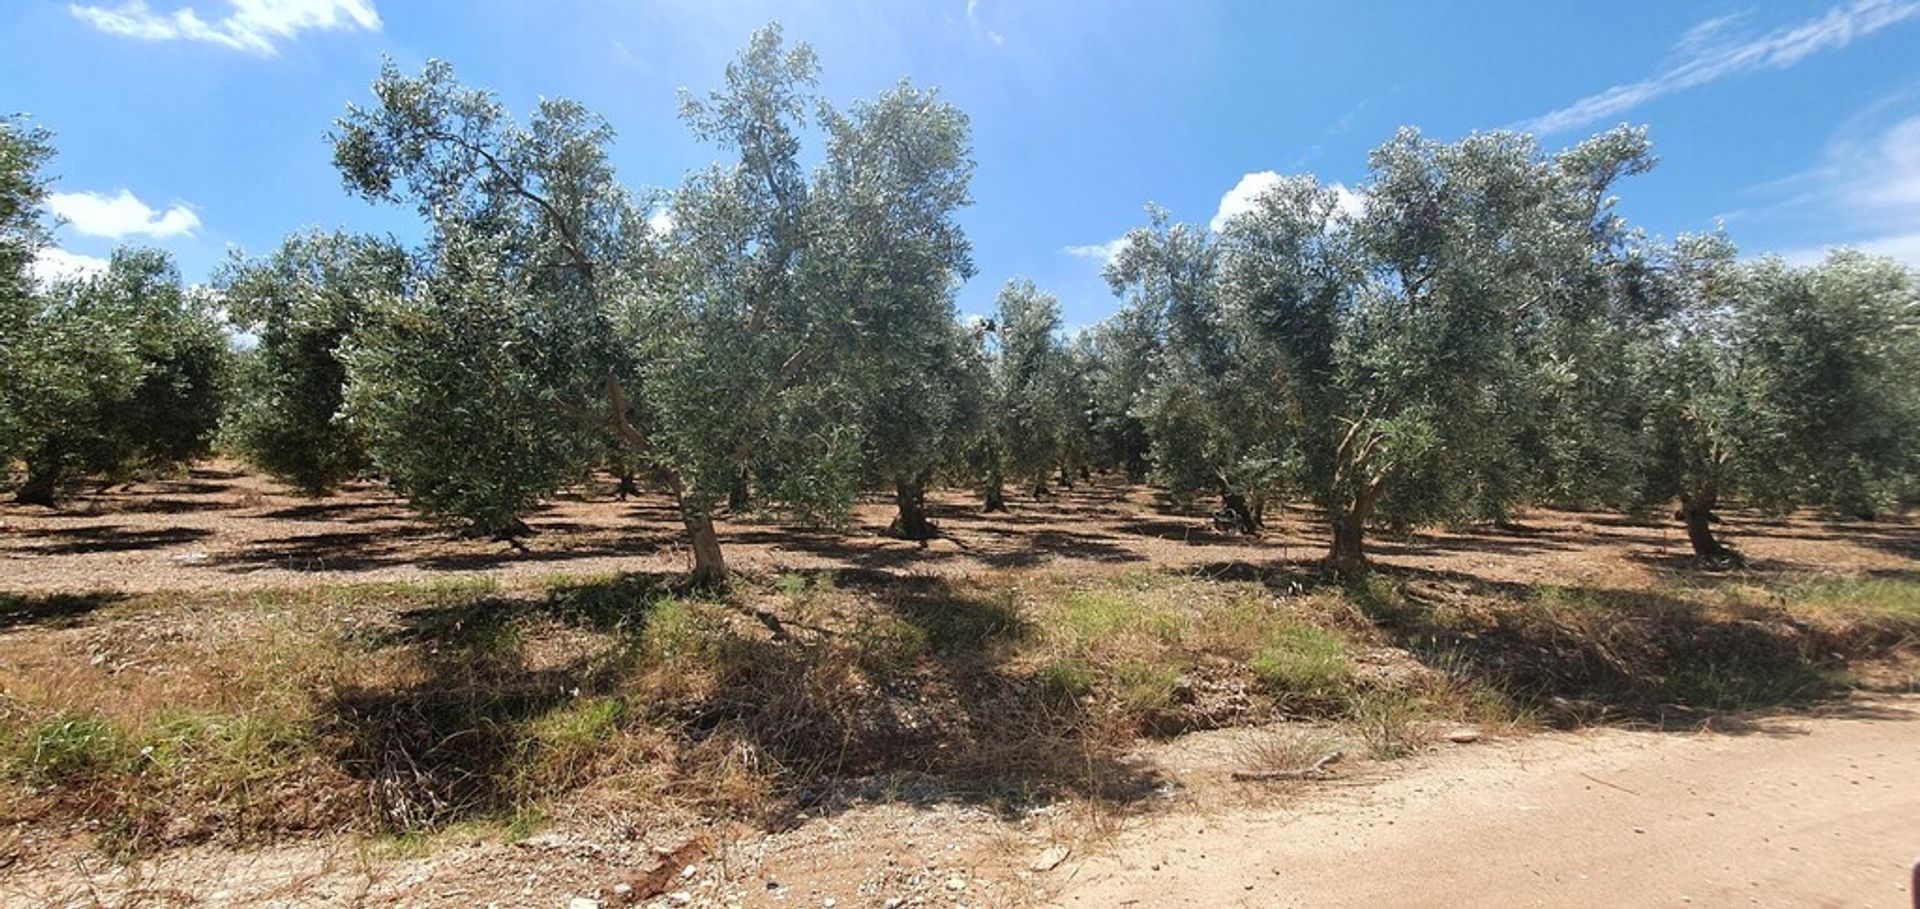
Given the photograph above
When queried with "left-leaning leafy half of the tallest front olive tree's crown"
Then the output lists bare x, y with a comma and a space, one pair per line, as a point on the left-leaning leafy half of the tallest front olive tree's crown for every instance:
460, 385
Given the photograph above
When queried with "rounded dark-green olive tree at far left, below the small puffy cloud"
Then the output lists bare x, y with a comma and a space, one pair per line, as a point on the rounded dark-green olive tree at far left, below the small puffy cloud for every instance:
122, 374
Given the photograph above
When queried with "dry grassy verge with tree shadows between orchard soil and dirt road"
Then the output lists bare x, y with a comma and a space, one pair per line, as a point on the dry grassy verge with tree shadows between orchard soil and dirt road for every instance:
406, 708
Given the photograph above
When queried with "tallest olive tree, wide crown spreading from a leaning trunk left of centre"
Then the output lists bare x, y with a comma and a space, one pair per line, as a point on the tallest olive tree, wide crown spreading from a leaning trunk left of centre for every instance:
717, 349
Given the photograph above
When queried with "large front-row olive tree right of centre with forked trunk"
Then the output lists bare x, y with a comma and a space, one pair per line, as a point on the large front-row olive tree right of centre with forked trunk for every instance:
1399, 339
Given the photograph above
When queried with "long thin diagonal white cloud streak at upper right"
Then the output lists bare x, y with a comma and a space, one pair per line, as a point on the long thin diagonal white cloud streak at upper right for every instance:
1708, 53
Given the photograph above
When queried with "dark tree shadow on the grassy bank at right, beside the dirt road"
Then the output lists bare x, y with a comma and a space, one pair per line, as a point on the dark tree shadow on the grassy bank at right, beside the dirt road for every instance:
1587, 654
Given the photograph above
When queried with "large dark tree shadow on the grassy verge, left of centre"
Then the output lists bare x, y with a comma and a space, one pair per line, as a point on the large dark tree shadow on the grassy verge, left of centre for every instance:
817, 718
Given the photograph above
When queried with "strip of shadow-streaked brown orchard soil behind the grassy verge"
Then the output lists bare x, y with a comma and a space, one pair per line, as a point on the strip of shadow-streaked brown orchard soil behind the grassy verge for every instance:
229, 529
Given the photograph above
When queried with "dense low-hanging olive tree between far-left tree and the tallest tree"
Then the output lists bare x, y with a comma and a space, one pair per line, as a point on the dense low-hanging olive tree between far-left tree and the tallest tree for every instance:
302, 305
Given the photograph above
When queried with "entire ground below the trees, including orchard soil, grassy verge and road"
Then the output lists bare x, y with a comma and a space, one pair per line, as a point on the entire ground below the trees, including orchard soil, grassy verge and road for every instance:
216, 691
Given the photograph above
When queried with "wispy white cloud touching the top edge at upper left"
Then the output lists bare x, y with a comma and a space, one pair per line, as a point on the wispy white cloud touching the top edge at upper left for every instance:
251, 26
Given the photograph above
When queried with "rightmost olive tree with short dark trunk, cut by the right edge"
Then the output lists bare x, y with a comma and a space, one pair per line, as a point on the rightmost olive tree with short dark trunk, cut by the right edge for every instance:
1775, 385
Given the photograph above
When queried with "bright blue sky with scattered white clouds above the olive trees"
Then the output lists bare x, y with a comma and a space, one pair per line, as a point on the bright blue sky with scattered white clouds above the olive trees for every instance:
199, 126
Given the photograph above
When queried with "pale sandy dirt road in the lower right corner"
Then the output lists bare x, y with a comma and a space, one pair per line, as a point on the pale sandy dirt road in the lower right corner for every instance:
1787, 814
